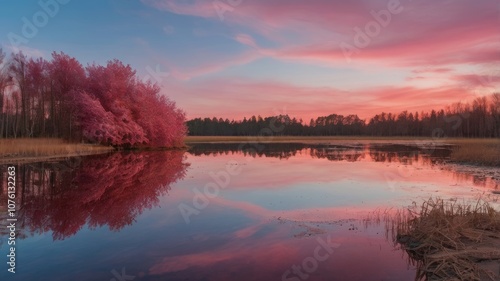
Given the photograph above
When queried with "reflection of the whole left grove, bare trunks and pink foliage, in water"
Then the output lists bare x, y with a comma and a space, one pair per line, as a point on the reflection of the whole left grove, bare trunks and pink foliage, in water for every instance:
110, 190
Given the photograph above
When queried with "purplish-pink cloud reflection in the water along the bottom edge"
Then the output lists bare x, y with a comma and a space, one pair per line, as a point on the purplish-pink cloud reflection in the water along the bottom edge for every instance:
270, 252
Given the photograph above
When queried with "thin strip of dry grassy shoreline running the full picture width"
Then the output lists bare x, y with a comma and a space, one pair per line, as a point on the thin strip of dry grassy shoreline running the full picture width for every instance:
33, 150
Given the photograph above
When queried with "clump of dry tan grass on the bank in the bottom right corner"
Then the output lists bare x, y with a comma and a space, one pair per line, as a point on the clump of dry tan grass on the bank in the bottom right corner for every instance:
449, 240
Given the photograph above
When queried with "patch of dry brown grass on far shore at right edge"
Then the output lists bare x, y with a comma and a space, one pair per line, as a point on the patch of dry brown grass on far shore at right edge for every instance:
482, 153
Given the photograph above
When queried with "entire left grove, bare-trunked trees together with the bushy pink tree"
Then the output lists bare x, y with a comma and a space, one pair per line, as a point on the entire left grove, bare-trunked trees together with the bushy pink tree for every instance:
59, 98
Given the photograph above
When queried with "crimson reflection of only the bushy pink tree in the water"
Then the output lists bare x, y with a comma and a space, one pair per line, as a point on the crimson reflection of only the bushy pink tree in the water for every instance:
105, 190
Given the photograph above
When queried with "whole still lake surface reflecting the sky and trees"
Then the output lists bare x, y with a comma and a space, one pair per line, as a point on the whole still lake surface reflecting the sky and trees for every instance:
224, 212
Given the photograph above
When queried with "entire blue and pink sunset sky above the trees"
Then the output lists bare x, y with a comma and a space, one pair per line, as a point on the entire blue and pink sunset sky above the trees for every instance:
238, 58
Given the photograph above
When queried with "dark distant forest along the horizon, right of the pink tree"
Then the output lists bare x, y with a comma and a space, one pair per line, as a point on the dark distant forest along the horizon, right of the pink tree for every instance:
478, 119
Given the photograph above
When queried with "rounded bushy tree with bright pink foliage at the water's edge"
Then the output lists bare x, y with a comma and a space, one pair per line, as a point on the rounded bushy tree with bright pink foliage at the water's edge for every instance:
116, 108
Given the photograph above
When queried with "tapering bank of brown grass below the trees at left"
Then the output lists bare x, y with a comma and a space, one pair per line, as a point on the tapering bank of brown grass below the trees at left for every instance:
23, 149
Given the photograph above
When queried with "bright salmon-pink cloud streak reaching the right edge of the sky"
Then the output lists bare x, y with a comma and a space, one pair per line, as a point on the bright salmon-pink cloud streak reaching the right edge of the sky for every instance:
456, 50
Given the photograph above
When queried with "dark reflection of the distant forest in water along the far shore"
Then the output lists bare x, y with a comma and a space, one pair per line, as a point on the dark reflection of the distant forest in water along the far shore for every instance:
405, 154
